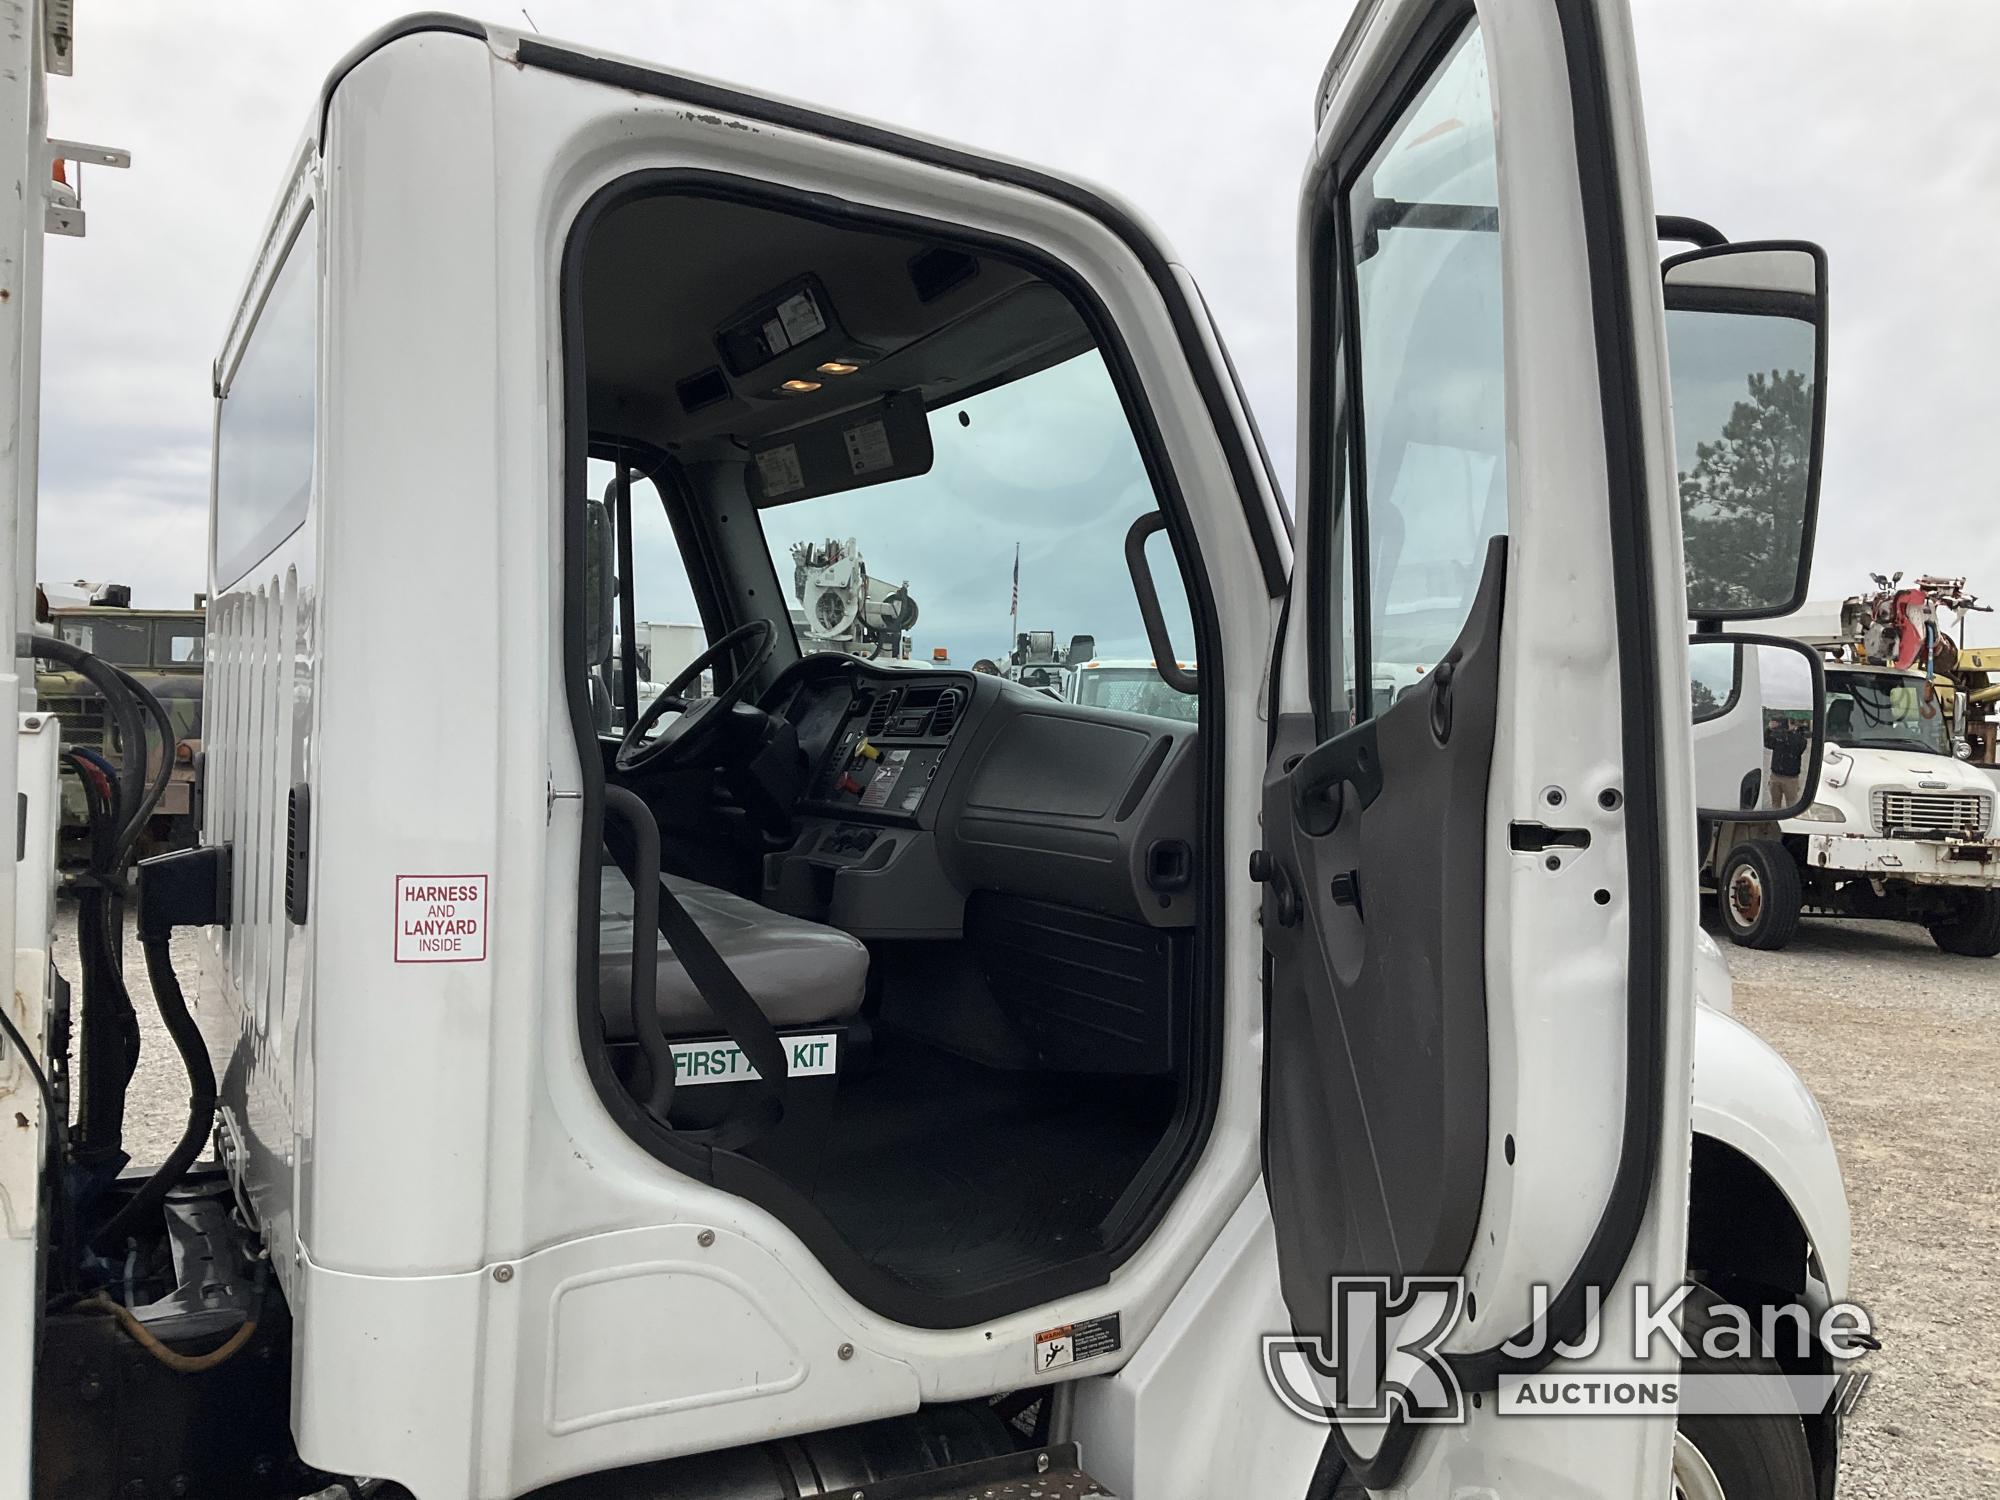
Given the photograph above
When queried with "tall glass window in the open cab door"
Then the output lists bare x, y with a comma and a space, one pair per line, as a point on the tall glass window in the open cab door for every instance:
1425, 461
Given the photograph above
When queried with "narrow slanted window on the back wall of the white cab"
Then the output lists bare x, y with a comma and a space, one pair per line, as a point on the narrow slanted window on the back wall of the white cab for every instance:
265, 431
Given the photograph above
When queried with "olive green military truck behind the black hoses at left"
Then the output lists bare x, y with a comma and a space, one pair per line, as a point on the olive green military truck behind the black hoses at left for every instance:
163, 649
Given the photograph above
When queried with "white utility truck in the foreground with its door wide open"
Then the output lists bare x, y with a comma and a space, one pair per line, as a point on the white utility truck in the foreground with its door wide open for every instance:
879, 1083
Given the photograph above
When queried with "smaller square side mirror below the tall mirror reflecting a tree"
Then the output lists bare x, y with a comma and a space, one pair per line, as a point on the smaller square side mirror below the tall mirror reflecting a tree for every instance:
1759, 727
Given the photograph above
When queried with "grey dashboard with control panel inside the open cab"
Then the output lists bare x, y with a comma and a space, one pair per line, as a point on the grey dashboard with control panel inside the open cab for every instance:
927, 787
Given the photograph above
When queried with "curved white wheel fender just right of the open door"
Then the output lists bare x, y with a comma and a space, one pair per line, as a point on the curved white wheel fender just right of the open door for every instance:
1749, 1099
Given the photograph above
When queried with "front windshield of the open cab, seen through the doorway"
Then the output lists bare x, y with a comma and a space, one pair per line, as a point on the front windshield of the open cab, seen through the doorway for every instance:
1017, 531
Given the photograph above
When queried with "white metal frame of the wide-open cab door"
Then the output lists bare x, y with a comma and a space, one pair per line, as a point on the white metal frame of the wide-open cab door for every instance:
1557, 961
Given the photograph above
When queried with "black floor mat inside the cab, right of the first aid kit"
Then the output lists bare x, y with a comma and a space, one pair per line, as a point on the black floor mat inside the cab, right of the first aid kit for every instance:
955, 1177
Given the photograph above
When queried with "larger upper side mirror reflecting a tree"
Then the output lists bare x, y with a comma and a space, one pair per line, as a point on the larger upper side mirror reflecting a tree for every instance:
1747, 347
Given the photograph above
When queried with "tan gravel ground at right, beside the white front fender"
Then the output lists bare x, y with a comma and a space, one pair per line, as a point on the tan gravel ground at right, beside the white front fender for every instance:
1903, 1049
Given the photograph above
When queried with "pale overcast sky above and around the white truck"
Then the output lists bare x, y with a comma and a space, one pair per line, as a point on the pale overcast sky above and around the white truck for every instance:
1805, 119
